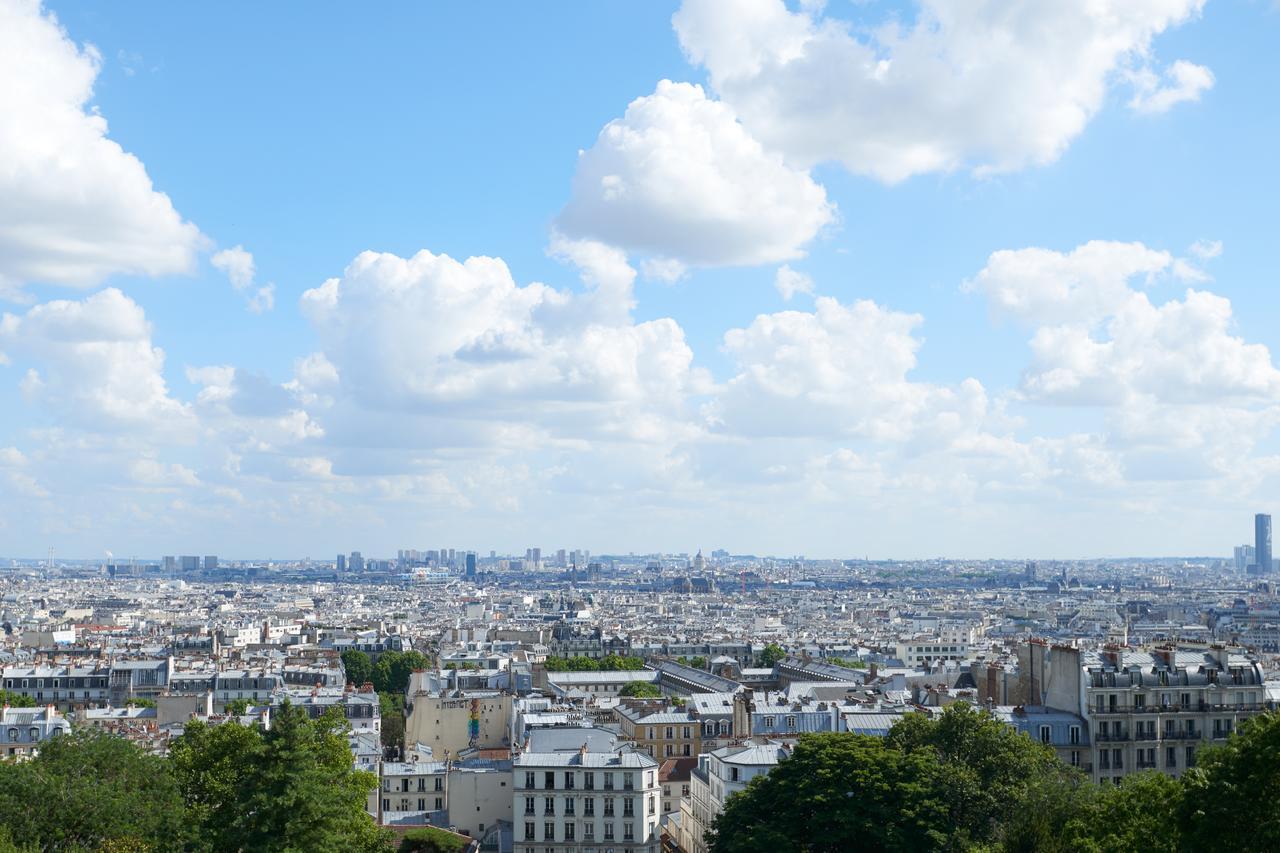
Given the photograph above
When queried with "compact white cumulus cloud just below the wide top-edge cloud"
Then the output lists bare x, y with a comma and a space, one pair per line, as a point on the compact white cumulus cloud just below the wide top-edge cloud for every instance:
680, 180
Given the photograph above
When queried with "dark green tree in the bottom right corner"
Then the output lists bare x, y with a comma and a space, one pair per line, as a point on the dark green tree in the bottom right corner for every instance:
1232, 799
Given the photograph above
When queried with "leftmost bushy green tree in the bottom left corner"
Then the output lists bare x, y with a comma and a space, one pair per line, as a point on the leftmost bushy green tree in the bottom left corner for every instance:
92, 791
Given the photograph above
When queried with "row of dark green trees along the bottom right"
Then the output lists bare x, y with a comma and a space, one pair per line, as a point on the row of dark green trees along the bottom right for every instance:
967, 782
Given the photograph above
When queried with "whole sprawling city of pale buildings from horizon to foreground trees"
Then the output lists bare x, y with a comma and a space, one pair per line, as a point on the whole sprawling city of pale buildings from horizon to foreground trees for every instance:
524, 735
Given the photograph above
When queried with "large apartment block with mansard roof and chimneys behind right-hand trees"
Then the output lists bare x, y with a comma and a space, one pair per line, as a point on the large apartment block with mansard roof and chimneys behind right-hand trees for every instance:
1150, 709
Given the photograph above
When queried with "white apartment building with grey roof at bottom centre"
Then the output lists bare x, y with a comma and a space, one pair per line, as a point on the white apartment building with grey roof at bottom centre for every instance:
586, 801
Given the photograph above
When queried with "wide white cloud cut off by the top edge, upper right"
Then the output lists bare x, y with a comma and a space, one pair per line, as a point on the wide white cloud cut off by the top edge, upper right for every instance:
991, 85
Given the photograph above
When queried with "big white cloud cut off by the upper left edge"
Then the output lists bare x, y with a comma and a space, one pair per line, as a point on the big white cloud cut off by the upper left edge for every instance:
75, 207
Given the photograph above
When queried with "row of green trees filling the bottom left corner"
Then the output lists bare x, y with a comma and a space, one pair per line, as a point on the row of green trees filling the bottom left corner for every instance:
222, 788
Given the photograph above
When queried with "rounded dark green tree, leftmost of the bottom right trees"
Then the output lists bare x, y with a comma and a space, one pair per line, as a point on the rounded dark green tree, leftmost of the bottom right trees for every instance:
839, 792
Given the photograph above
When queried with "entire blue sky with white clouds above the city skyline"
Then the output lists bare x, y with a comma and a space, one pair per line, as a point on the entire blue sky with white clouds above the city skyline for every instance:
660, 393
